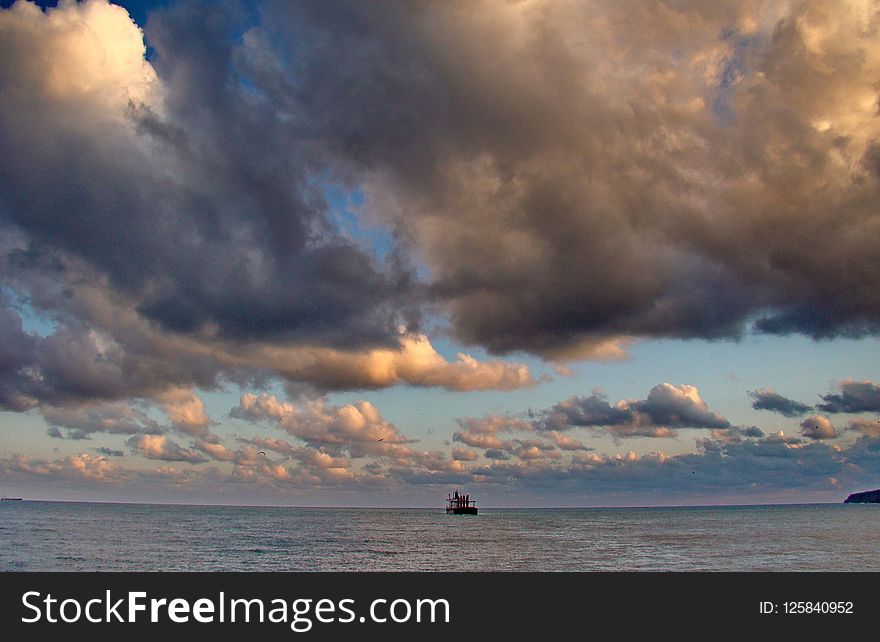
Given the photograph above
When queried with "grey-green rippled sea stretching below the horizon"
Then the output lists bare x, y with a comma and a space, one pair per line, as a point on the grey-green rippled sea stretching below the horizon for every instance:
129, 537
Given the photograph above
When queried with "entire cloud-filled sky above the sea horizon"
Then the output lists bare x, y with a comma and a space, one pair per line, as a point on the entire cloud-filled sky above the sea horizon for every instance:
548, 252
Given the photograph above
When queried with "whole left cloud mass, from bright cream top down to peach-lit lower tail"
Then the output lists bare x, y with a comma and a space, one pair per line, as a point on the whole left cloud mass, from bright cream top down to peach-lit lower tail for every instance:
226, 264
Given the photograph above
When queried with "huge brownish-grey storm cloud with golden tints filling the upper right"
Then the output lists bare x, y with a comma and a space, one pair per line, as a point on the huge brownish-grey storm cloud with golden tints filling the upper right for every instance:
560, 166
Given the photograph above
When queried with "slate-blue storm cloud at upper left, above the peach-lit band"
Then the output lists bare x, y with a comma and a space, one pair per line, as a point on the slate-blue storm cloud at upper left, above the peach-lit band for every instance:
207, 214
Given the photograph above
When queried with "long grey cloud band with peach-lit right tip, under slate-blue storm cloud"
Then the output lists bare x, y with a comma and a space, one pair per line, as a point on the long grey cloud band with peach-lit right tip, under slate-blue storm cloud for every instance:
119, 355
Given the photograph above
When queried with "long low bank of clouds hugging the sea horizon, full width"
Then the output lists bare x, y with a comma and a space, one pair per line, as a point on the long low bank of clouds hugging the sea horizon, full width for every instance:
773, 467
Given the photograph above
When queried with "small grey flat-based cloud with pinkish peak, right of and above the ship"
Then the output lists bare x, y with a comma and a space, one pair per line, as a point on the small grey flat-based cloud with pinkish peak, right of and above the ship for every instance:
667, 406
